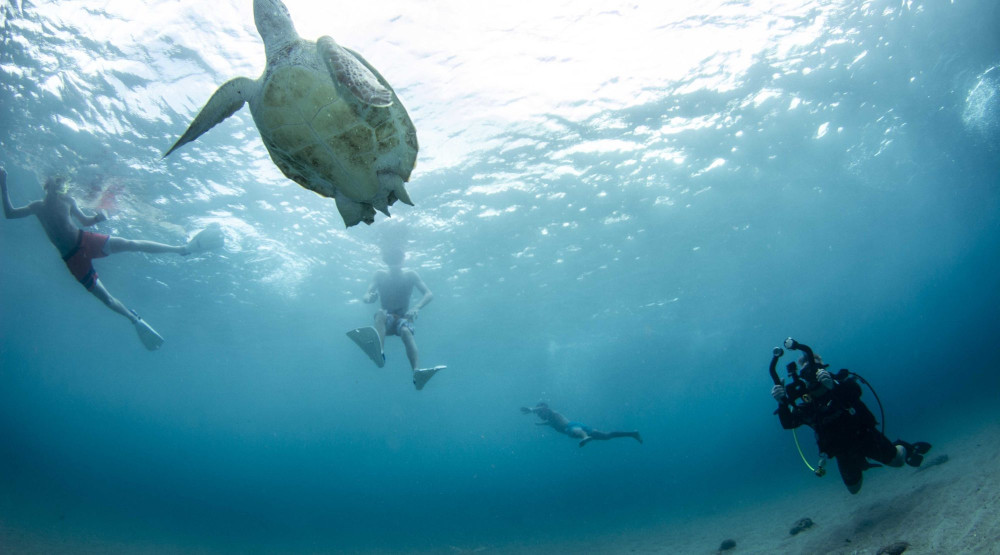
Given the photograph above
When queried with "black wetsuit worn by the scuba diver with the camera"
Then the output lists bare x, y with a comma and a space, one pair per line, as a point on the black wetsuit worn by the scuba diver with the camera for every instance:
845, 429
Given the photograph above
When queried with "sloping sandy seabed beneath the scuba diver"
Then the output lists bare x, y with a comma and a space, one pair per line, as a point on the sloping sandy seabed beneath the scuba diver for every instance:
950, 505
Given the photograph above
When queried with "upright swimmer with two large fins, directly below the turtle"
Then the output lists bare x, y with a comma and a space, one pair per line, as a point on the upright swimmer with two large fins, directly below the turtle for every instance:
394, 287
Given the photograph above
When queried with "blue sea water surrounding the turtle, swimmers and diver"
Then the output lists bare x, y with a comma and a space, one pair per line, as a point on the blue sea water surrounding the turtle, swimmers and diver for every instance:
630, 258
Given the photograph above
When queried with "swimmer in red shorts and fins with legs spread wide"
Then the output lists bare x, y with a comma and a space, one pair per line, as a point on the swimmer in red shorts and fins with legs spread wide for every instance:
78, 248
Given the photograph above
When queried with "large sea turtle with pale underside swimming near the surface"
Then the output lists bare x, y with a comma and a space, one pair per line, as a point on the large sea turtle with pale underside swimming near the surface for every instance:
329, 120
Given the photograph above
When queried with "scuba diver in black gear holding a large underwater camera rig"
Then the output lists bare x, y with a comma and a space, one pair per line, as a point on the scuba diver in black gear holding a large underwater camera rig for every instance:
831, 405
